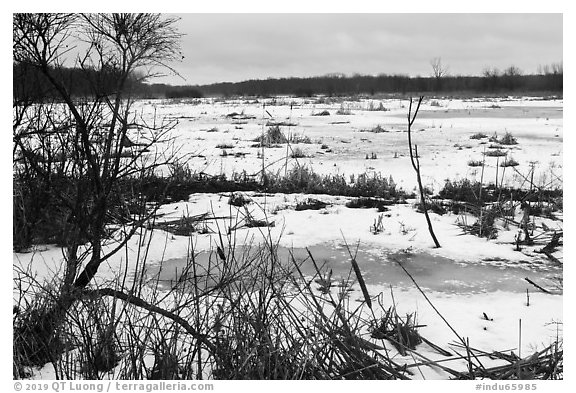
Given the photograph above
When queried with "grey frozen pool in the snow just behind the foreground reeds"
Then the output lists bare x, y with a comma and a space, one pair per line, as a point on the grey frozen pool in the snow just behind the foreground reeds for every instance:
379, 267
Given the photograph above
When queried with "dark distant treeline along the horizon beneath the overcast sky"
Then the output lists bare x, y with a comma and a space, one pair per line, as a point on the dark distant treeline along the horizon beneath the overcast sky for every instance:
29, 82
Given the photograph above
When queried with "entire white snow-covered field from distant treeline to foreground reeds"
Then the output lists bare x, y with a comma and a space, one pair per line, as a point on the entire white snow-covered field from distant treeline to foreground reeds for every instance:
465, 278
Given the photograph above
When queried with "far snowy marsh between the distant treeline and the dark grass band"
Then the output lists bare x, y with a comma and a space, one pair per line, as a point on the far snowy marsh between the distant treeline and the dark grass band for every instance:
442, 131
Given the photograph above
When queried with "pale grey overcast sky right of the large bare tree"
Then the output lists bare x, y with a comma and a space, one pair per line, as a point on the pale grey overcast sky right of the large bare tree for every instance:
236, 47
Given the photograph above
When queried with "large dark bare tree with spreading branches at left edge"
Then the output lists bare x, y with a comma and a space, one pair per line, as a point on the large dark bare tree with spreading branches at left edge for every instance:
74, 148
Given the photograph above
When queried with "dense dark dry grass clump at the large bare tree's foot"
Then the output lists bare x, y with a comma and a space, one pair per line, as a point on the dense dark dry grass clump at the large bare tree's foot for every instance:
79, 343
